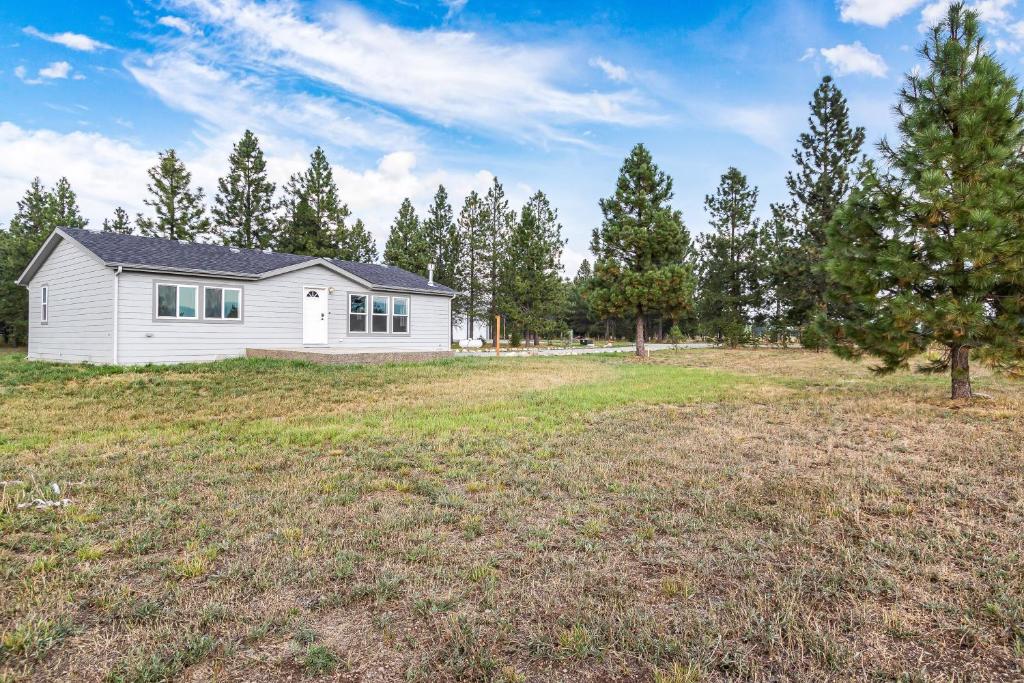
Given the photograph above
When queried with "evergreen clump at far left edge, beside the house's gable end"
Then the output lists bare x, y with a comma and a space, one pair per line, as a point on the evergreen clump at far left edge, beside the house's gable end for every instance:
39, 214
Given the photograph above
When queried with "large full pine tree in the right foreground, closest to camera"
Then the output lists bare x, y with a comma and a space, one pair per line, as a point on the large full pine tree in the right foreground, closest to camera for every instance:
931, 252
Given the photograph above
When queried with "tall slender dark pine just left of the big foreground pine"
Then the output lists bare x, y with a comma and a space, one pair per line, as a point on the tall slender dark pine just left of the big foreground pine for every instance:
826, 162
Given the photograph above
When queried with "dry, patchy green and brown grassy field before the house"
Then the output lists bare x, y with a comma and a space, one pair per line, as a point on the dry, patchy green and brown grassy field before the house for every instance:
705, 516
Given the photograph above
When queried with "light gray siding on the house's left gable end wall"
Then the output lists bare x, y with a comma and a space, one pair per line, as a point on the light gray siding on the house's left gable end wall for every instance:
80, 328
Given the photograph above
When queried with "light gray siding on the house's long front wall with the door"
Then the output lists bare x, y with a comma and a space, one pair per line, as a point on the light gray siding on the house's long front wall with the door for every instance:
272, 312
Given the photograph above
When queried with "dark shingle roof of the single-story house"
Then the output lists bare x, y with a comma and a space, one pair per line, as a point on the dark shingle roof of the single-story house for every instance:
133, 250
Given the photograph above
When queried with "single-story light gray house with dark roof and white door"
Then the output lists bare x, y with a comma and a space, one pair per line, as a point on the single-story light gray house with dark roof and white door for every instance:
104, 297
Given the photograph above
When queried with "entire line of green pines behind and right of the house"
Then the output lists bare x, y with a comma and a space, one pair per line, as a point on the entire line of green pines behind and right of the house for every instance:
922, 249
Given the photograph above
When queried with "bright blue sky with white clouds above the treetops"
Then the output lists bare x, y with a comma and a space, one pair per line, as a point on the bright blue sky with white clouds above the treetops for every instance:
408, 94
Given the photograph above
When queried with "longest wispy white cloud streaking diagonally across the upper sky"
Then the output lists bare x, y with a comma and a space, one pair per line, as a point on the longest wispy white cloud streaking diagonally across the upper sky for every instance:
448, 77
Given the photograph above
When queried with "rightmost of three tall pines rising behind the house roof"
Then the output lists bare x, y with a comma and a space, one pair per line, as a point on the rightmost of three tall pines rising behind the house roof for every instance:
324, 235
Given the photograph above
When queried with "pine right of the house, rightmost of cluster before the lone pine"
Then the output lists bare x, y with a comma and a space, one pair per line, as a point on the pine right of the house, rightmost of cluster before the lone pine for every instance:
535, 291
